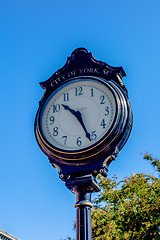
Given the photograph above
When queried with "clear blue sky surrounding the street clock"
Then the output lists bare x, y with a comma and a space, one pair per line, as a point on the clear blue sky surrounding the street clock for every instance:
36, 39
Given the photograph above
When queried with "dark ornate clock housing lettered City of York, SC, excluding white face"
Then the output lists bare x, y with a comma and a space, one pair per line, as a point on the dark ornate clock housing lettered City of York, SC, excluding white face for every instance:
96, 158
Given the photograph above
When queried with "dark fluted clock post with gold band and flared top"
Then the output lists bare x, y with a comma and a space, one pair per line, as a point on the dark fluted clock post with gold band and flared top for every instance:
83, 186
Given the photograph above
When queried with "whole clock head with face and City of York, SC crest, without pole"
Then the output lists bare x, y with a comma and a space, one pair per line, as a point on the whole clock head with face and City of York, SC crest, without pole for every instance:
84, 117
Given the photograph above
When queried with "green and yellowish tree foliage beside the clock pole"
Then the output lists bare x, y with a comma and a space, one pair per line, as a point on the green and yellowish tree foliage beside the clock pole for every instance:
129, 209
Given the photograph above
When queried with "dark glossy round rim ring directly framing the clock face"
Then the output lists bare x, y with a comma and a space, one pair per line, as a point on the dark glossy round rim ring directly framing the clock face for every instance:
93, 152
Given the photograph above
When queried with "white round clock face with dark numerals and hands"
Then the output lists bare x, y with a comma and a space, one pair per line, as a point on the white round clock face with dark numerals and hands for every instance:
78, 114
